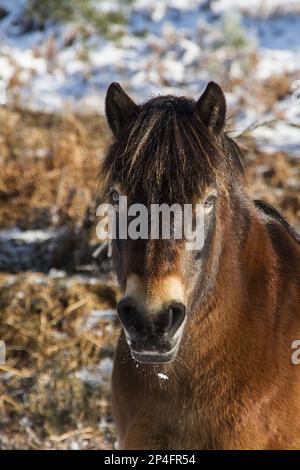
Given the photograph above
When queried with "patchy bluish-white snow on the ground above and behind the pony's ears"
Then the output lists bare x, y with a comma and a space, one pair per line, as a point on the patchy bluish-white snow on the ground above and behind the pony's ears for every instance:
172, 46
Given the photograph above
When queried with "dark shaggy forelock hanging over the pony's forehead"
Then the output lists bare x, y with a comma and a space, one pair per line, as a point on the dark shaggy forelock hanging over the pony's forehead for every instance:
167, 154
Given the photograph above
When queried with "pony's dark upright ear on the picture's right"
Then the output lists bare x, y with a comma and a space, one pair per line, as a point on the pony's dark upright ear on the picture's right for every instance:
211, 108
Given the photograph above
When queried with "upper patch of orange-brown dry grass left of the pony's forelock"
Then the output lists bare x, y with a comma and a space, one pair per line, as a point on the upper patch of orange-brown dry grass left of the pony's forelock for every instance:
48, 167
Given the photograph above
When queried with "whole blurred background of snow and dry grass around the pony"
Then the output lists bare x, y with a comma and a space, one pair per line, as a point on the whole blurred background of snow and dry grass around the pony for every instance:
57, 300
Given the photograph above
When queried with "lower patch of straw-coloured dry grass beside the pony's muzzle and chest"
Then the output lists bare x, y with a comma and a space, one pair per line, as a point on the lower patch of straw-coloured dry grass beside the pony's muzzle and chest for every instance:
42, 401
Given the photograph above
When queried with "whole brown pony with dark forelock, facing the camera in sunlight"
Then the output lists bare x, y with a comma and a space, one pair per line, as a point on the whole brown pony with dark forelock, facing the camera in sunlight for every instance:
204, 356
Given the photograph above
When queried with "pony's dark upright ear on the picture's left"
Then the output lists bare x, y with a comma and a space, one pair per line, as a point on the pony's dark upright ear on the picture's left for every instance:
119, 108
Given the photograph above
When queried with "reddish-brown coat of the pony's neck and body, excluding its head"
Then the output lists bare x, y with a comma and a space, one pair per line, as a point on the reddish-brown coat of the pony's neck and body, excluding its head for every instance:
233, 385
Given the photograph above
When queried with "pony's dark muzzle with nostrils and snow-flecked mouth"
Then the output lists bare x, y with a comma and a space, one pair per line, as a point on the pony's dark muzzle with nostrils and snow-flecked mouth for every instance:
152, 337
